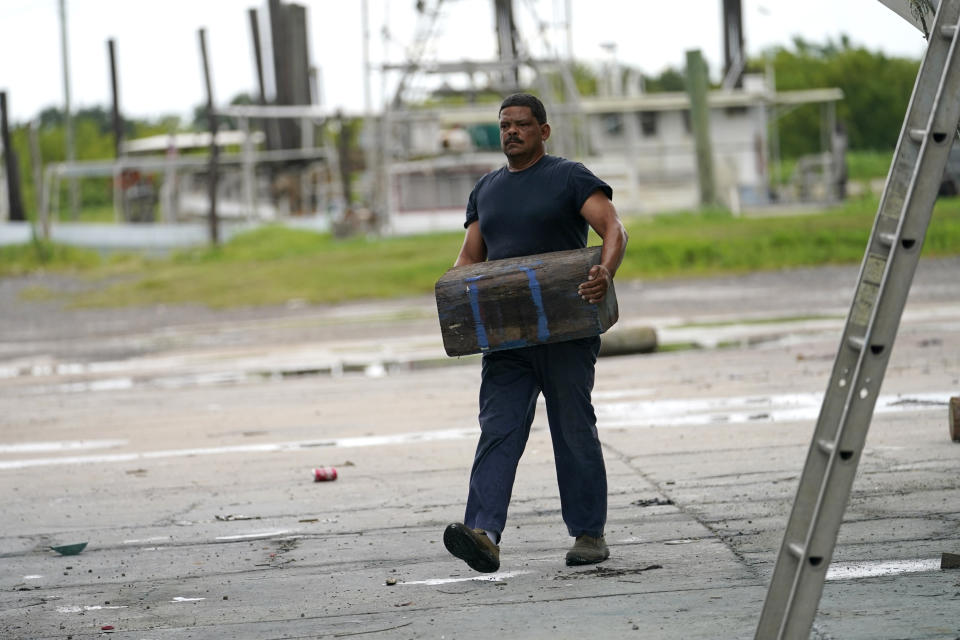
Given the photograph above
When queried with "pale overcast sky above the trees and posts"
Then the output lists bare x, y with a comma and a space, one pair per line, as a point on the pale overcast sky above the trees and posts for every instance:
159, 60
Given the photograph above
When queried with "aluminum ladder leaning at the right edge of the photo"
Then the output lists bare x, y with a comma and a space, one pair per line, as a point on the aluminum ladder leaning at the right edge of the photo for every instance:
886, 274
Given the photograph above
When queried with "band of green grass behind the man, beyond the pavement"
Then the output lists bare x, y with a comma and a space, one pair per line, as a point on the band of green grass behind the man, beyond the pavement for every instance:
273, 265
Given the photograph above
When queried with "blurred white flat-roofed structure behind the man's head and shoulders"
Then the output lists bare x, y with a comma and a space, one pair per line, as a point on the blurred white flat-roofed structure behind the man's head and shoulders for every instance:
642, 145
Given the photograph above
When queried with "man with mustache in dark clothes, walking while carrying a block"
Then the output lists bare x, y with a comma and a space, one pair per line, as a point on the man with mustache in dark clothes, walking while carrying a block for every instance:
535, 204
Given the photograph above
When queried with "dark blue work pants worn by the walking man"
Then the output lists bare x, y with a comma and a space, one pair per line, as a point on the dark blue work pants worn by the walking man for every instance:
511, 382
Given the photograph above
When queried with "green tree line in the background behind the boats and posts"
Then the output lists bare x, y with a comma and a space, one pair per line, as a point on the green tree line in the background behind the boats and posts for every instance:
876, 91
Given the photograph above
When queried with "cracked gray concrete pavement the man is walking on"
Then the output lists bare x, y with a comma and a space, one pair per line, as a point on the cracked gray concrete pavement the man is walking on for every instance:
178, 443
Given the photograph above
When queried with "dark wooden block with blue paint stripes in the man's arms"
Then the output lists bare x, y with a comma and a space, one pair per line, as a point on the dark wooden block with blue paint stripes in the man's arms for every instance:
520, 302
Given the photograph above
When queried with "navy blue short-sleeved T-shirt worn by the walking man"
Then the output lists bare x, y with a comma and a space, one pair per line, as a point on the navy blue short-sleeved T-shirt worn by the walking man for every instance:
535, 210
